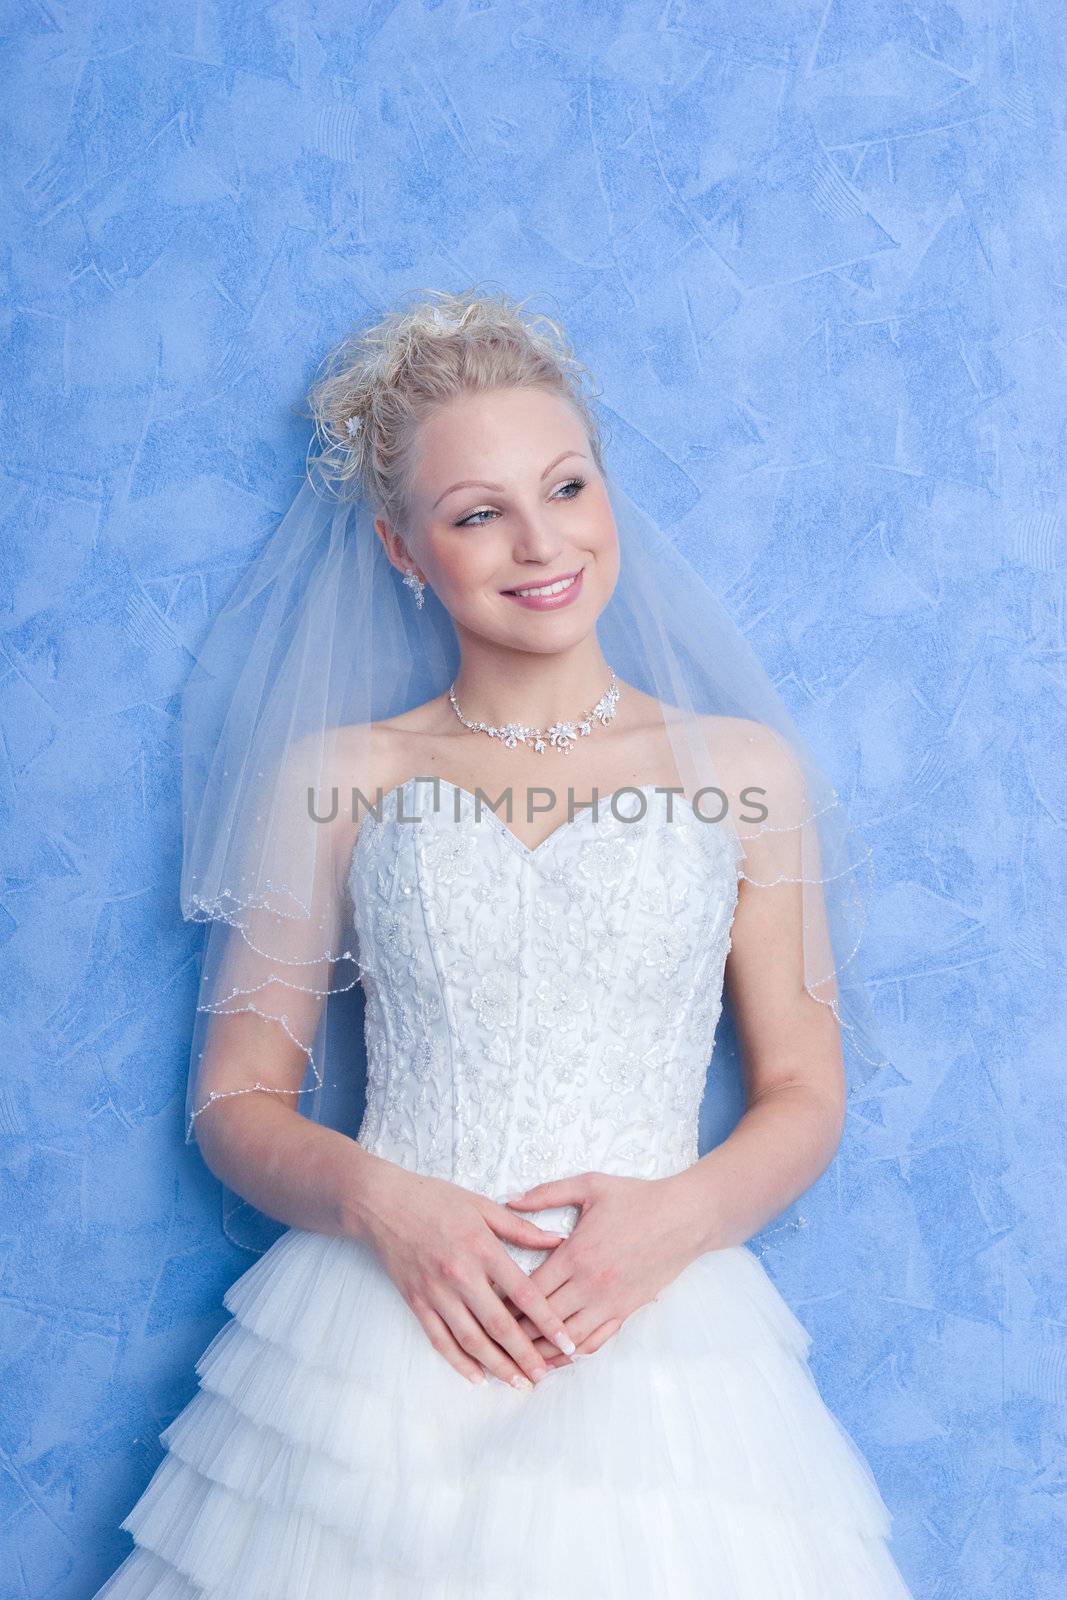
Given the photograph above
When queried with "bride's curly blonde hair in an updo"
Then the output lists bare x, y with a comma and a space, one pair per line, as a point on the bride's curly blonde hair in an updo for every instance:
383, 382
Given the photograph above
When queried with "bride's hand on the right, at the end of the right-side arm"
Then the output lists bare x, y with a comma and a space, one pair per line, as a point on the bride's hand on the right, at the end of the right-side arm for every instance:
633, 1239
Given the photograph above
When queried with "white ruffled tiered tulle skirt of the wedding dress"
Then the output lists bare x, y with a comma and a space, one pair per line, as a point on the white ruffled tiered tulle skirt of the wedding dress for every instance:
332, 1454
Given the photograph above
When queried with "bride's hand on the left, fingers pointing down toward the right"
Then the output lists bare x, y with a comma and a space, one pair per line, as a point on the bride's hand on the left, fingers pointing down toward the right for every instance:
442, 1247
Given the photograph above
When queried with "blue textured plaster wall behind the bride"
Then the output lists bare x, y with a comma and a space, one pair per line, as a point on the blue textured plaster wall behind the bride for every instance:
812, 250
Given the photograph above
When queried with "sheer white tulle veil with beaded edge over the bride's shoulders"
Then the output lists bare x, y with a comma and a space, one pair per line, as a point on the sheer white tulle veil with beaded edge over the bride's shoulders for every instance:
319, 641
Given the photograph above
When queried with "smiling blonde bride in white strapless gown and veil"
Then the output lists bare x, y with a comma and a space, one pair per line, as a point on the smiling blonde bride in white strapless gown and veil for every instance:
545, 876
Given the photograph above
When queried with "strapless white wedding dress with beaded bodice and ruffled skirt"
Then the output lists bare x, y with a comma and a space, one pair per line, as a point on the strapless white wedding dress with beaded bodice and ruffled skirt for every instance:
530, 1015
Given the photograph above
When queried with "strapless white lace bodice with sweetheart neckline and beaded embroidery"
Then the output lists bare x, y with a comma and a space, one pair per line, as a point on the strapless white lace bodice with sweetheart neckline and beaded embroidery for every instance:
540, 1012
